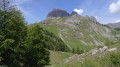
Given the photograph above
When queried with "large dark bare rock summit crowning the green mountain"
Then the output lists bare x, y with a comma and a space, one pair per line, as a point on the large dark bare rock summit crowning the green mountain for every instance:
58, 13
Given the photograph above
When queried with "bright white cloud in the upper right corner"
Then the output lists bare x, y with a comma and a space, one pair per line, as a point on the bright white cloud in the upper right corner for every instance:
115, 7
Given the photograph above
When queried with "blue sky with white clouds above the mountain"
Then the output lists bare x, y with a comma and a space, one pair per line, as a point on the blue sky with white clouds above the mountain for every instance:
105, 11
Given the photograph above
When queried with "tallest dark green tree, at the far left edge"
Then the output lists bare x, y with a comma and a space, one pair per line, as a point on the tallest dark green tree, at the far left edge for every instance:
12, 31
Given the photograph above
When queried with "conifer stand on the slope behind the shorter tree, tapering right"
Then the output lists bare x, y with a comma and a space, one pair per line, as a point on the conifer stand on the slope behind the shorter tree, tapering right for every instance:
54, 42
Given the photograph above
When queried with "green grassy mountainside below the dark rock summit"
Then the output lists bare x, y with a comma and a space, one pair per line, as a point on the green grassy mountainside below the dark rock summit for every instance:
69, 33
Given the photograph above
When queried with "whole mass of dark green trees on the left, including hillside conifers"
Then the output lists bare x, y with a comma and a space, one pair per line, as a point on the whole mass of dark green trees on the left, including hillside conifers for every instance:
24, 47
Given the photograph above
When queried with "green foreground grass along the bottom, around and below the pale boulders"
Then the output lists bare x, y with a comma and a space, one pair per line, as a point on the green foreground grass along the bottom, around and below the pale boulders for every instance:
105, 59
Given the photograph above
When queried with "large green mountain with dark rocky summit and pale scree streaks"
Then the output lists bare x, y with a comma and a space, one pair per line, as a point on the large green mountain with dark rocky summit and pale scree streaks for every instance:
78, 31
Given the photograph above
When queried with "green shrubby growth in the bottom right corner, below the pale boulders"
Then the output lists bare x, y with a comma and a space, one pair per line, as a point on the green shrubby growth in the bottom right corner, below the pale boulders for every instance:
108, 60
